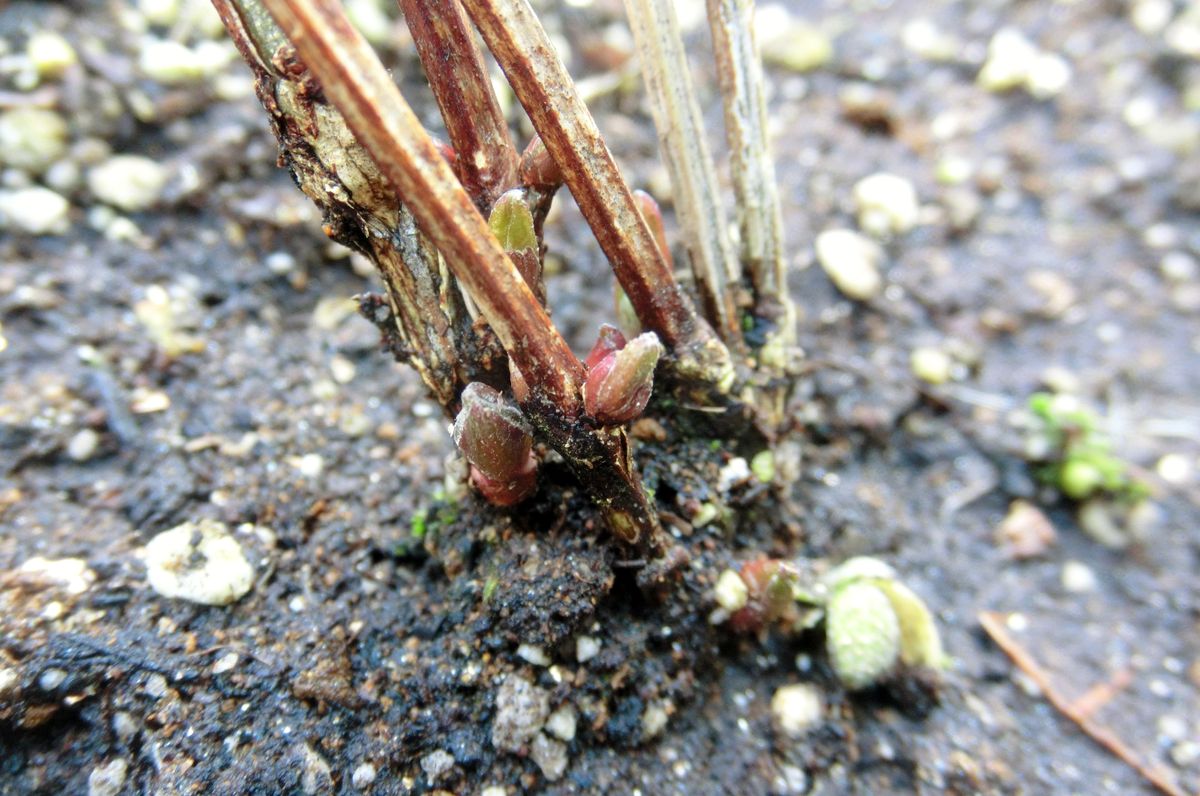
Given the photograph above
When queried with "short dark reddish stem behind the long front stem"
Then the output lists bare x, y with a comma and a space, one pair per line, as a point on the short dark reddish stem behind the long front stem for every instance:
487, 160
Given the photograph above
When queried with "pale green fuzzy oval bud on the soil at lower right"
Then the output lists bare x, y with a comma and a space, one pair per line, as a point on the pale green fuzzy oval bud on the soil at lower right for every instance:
862, 635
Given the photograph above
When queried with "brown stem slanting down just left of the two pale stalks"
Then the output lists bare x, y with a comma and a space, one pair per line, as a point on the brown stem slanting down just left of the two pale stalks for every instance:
521, 47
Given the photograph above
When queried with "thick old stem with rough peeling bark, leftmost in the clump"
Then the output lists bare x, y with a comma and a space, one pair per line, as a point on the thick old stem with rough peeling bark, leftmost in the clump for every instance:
359, 211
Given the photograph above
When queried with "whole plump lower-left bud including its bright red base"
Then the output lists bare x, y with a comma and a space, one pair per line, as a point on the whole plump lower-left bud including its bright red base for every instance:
499, 442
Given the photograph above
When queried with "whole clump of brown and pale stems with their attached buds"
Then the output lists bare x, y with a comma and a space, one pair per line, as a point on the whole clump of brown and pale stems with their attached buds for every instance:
455, 229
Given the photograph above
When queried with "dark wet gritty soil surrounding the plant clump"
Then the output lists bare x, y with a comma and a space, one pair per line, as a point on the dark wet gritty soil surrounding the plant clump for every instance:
200, 361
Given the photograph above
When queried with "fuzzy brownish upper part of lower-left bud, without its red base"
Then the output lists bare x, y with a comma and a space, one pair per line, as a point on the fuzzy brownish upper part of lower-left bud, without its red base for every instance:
493, 434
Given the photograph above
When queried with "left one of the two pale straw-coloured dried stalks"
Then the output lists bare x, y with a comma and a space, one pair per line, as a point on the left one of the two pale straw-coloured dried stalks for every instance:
689, 163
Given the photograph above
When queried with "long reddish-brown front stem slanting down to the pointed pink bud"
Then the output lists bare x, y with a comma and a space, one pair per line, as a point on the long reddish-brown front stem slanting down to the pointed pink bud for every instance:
358, 86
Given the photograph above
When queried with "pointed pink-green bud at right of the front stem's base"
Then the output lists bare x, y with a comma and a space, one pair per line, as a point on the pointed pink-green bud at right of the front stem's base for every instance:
619, 387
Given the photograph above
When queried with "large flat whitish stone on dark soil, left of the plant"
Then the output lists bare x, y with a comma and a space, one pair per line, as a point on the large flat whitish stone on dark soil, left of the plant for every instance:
199, 562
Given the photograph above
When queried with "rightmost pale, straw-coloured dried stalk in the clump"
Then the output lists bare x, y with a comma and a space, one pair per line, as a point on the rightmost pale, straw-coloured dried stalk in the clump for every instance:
760, 222
